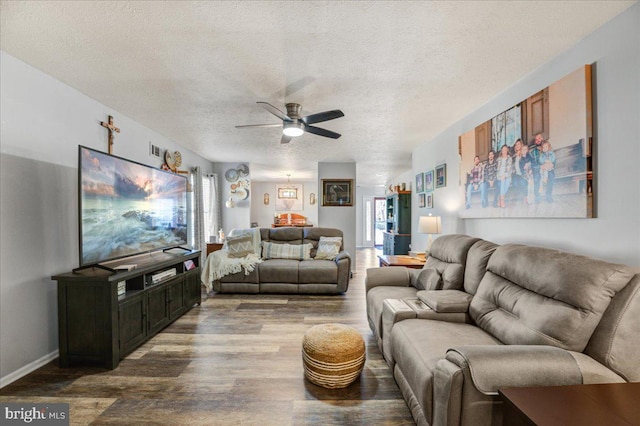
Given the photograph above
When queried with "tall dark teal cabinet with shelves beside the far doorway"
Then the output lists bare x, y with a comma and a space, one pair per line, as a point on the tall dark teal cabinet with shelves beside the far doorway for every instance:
397, 237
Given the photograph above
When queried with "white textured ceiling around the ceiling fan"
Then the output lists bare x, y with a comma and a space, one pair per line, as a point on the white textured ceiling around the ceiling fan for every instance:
401, 72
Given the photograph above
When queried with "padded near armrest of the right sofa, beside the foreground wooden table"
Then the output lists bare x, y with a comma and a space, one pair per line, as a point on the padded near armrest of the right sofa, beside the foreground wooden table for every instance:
500, 366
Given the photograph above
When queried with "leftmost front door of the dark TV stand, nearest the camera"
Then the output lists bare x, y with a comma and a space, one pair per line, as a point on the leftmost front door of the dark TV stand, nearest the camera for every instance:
132, 323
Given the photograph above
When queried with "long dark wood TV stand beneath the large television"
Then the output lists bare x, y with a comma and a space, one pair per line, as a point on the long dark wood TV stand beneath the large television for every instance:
95, 324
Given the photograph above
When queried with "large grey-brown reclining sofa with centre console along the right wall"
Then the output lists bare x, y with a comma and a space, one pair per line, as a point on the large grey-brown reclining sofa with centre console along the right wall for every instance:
481, 316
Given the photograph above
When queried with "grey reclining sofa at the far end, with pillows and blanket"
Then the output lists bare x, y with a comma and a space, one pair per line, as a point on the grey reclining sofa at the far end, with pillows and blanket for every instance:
292, 276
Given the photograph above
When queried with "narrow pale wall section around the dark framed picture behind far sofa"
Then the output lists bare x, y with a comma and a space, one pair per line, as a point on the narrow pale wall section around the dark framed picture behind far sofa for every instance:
343, 217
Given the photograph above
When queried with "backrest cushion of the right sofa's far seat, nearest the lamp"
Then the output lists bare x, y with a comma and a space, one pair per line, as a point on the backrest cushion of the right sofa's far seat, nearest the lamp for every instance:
448, 256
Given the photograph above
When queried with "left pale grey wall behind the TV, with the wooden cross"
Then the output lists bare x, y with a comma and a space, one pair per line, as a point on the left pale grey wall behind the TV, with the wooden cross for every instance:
42, 123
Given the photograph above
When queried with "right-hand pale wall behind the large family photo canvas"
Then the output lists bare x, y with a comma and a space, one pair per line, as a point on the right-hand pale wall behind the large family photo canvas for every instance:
615, 234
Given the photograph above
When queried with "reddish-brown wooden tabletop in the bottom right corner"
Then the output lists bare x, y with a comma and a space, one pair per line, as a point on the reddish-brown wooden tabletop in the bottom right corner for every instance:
602, 404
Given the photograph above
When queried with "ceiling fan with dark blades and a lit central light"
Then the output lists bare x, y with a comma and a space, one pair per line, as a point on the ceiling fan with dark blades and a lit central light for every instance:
293, 125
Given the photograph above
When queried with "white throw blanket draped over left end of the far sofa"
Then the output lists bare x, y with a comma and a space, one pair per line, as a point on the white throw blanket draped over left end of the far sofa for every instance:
219, 264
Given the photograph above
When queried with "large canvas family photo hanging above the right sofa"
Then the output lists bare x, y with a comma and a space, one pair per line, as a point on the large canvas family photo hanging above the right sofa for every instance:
534, 159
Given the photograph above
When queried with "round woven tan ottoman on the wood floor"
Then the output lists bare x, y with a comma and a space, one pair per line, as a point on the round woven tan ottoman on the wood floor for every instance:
333, 355
